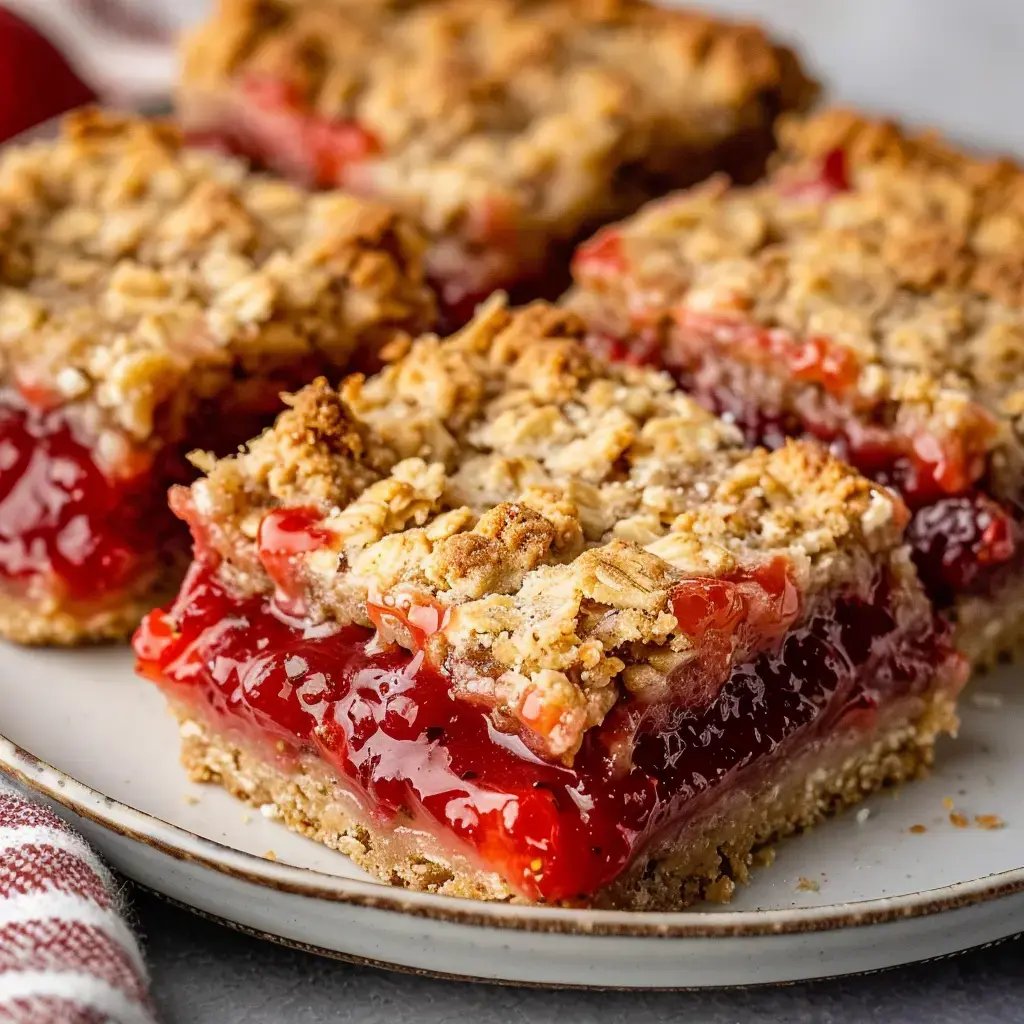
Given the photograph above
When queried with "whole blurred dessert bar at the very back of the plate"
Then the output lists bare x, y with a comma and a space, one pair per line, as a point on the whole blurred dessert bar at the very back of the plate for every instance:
508, 129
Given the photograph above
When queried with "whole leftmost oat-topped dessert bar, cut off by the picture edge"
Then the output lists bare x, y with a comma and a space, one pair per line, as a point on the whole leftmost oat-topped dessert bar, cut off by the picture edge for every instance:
155, 298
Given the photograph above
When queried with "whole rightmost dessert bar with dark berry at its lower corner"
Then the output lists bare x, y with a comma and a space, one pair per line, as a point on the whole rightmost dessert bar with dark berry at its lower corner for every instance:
869, 294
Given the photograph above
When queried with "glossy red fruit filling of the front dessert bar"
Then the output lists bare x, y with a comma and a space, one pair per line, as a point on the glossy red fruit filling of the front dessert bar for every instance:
388, 724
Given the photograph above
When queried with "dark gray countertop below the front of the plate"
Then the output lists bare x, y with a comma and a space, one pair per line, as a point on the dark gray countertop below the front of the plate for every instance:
207, 974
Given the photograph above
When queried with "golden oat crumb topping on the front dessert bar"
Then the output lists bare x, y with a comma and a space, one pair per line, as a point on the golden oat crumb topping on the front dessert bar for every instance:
544, 504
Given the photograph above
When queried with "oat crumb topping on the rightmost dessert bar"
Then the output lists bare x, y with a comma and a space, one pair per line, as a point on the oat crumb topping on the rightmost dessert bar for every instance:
913, 267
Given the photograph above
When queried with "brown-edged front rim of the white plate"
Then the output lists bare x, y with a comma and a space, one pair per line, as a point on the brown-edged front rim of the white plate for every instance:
175, 841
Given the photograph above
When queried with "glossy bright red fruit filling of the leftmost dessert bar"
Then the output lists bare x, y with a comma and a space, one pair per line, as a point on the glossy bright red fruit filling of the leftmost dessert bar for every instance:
70, 530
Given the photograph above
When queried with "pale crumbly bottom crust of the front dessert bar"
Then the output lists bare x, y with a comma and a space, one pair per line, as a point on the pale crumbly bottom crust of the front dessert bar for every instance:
706, 862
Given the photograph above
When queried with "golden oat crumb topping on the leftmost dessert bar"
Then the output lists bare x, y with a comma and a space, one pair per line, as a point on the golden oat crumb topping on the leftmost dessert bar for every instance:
139, 277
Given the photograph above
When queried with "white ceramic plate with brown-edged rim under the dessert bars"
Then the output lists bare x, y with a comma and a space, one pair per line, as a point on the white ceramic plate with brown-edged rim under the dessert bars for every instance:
885, 895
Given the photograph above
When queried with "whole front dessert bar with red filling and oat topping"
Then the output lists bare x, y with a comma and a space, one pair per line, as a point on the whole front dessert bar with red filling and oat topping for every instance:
509, 622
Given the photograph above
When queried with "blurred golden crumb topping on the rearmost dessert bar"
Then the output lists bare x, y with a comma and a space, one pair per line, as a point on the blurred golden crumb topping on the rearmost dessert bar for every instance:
495, 115
